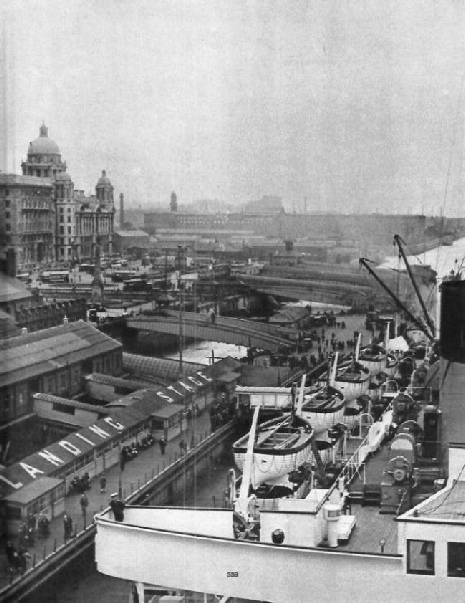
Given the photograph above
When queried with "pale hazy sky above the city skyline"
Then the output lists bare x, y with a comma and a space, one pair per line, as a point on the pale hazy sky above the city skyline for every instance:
356, 105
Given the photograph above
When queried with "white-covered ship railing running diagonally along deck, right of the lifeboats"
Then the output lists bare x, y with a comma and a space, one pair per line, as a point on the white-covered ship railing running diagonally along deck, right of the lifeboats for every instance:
369, 444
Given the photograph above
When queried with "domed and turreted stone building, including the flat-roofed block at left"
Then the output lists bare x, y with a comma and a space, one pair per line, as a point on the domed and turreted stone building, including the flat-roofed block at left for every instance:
45, 220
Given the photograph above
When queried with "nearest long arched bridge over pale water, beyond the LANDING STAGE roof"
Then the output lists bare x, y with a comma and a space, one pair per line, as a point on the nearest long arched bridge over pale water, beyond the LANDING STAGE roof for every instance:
227, 330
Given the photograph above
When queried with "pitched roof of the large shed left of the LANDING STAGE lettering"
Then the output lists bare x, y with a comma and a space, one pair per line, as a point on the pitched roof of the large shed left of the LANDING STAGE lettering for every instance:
44, 351
